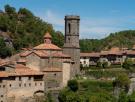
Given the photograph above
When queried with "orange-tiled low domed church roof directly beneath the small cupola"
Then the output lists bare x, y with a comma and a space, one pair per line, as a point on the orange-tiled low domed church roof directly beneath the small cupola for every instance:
46, 46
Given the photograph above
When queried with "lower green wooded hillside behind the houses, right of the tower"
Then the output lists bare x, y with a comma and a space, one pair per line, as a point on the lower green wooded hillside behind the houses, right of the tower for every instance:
120, 39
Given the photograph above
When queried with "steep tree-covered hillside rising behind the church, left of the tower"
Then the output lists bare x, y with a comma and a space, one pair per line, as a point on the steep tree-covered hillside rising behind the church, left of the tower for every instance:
25, 29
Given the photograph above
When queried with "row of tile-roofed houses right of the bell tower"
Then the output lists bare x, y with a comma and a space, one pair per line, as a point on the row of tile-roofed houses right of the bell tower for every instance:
113, 56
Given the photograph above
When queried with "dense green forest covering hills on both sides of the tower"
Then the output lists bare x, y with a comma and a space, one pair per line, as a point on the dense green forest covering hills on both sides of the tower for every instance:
26, 30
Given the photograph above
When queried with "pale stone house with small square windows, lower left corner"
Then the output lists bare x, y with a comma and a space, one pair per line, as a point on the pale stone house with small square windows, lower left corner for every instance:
22, 83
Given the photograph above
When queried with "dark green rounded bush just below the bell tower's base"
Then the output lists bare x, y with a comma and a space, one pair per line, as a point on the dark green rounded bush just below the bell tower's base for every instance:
73, 85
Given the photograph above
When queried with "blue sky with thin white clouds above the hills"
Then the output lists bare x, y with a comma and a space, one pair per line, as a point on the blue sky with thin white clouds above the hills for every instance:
99, 18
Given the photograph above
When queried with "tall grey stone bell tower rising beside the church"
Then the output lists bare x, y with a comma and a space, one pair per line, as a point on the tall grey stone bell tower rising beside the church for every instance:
71, 45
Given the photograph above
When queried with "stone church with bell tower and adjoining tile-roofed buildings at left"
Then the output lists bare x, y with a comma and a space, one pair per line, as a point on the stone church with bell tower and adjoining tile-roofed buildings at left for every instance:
46, 64
